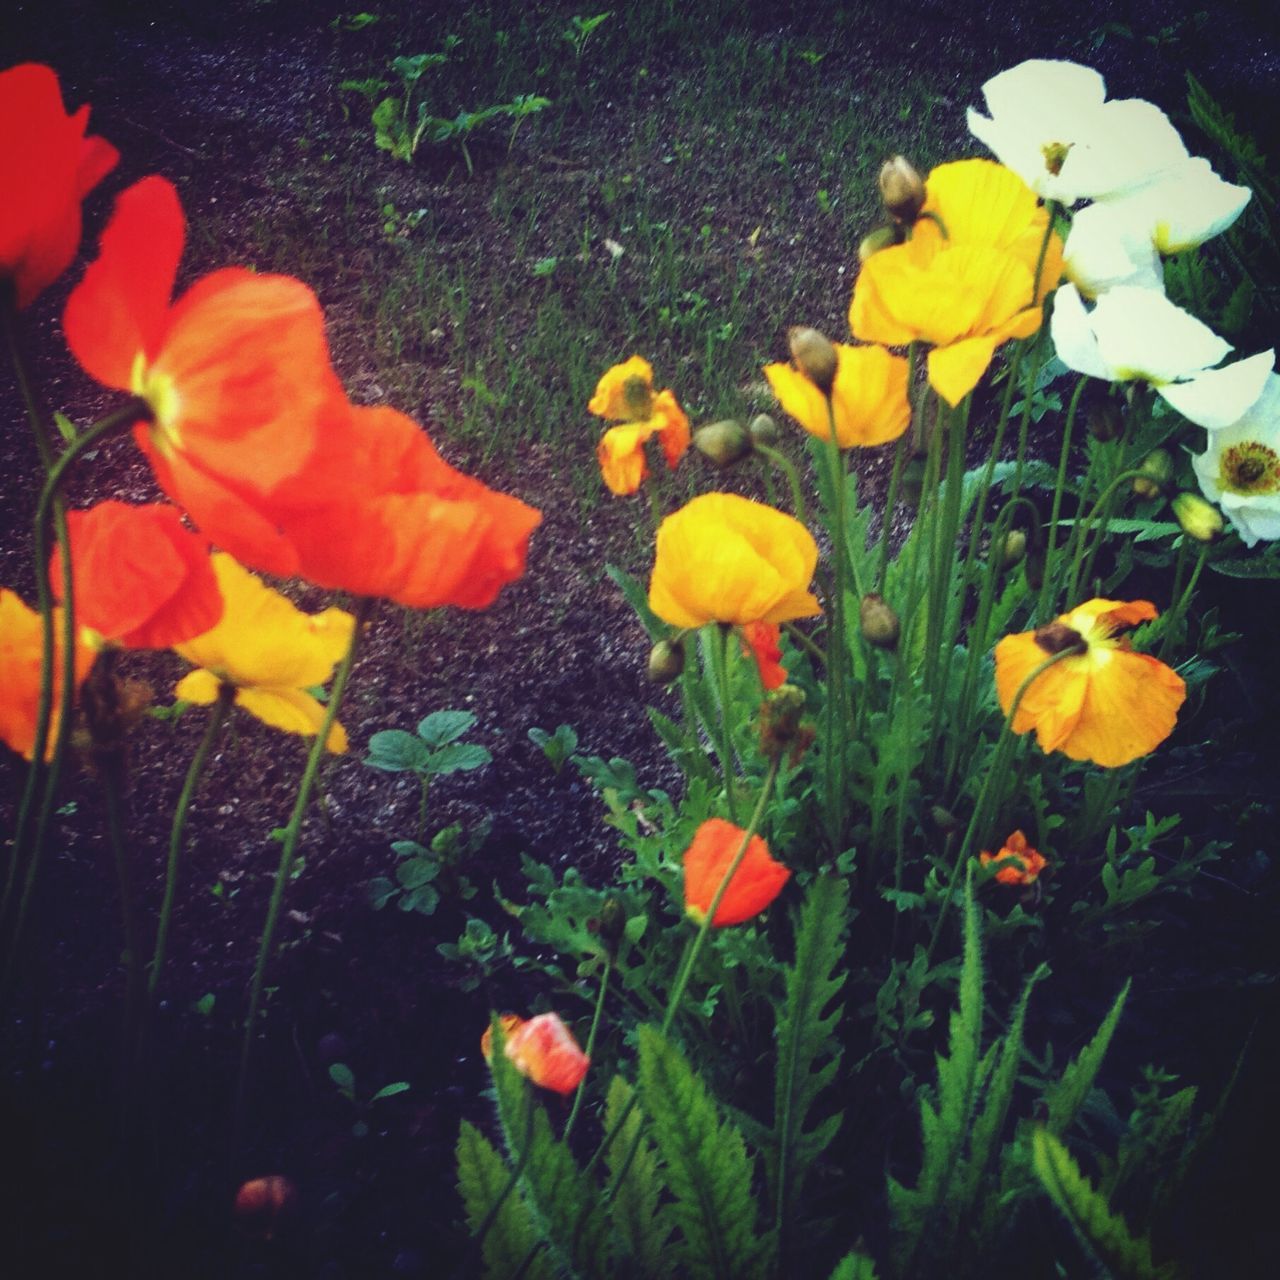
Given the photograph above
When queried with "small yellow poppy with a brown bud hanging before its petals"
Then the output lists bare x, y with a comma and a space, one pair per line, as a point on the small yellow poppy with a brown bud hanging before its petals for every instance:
868, 397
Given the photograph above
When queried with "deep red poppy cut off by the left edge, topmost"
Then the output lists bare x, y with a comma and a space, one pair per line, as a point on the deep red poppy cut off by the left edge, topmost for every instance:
48, 167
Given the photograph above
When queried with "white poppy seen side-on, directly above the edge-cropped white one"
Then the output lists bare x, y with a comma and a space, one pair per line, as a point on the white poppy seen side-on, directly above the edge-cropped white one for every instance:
1139, 335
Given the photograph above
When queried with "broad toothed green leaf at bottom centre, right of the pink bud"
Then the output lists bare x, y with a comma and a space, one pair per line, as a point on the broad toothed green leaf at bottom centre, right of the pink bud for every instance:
708, 1169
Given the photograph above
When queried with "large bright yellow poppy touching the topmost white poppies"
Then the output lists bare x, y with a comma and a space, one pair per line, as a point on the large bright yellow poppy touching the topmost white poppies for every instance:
966, 286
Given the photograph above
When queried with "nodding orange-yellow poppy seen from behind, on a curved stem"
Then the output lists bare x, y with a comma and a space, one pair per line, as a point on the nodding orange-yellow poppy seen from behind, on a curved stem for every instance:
1105, 703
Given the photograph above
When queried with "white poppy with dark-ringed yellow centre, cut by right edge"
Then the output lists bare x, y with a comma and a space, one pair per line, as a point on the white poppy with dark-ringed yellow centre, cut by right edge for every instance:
1241, 469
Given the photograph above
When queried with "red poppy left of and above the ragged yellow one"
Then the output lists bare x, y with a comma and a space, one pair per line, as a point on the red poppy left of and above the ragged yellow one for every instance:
143, 579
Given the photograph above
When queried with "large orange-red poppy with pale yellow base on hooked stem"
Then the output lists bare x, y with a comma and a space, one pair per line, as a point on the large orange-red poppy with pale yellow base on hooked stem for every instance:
236, 374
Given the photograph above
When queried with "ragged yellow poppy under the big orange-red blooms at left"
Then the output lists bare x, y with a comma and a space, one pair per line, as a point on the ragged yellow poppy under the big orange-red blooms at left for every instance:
271, 652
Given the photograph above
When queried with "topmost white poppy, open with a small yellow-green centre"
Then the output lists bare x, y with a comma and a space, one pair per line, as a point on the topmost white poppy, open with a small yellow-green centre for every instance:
1052, 125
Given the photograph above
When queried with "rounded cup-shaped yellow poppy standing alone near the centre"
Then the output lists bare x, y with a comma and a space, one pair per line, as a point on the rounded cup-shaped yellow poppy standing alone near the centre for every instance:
724, 559
